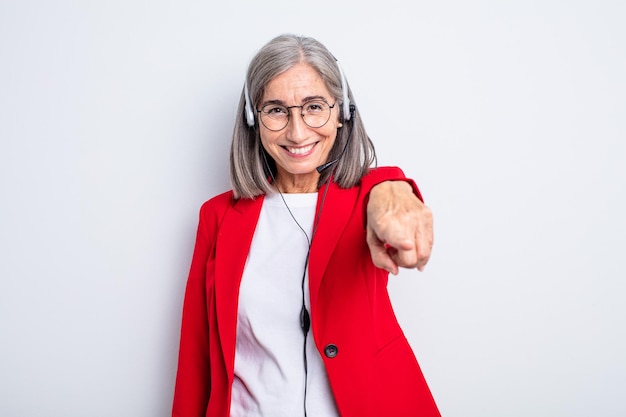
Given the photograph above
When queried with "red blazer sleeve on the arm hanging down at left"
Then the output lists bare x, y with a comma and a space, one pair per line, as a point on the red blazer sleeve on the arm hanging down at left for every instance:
193, 383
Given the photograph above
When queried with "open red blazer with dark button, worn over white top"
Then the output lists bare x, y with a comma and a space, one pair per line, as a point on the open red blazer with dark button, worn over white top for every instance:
370, 365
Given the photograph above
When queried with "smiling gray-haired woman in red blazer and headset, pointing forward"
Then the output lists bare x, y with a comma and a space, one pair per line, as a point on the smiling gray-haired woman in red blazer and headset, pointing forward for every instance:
286, 310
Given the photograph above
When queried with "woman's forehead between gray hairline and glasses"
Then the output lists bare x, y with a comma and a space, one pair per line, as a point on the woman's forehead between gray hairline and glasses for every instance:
295, 85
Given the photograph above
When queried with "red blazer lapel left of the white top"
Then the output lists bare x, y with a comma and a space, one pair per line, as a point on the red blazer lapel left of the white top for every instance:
233, 244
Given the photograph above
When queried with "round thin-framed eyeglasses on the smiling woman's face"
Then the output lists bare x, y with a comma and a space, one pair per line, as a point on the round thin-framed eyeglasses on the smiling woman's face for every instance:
315, 113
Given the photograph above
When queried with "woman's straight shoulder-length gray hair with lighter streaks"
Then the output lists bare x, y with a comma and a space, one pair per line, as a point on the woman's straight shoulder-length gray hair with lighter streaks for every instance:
250, 165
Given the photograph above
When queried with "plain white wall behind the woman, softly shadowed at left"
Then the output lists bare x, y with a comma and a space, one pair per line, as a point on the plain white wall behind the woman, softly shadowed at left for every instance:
115, 119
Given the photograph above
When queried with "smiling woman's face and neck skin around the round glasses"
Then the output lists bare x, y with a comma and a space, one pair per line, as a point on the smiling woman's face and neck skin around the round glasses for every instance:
298, 148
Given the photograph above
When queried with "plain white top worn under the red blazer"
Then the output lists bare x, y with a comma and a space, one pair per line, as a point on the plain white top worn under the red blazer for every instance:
269, 359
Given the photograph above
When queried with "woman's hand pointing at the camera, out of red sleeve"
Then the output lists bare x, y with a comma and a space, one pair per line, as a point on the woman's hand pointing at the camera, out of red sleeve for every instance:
399, 227
